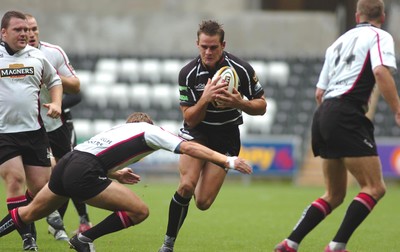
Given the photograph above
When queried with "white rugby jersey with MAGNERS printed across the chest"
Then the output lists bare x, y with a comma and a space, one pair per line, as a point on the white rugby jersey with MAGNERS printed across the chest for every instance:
21, 76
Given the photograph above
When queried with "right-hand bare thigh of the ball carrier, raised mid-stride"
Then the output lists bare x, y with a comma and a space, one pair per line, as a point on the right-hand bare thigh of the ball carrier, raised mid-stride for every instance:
210, 182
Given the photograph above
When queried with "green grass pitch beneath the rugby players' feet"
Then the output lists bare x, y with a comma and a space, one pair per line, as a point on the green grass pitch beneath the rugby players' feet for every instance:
248, 217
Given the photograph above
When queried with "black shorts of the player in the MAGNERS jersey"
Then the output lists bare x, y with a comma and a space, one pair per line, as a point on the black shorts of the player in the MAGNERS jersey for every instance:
32, 146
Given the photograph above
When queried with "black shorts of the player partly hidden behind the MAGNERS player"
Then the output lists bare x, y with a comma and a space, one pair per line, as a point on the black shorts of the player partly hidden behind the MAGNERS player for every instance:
60, 141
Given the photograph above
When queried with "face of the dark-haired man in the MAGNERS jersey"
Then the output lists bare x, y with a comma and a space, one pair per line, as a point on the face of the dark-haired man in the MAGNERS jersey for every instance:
16, 34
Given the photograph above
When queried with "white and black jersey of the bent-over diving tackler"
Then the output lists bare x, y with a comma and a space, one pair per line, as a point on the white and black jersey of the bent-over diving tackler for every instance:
126, 144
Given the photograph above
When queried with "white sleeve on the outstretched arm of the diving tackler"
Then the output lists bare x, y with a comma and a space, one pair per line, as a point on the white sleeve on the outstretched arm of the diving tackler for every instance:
159, 138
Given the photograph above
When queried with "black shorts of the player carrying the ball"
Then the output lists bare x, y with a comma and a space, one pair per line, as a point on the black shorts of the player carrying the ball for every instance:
225, 140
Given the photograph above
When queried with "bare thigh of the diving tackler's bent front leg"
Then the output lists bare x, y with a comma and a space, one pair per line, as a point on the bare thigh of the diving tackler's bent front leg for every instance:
117, 197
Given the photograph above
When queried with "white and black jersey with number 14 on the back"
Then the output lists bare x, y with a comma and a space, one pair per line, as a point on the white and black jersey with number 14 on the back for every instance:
349, 62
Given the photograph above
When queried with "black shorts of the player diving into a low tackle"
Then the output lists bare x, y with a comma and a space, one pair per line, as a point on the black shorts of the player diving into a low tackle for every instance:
78, 175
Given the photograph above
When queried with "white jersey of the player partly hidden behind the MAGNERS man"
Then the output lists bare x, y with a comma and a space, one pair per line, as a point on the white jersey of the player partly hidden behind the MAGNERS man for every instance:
59, 59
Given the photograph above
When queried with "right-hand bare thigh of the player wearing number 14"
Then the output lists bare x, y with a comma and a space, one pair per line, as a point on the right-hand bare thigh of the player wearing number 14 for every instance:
368, 173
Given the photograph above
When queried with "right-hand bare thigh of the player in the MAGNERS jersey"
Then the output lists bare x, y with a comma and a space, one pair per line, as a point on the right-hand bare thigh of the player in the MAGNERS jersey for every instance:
36, 177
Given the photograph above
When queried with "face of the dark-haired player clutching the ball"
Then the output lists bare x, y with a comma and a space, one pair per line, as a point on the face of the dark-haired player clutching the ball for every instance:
211, 49
